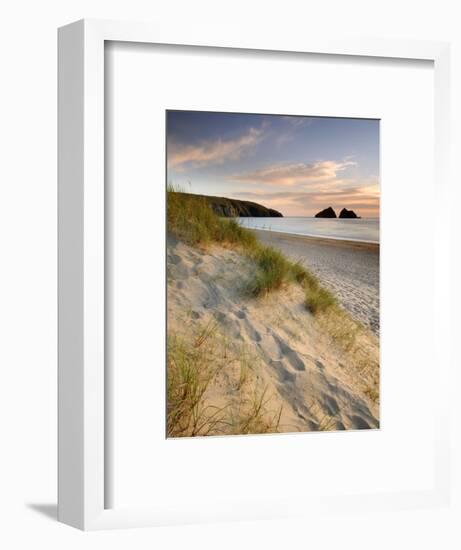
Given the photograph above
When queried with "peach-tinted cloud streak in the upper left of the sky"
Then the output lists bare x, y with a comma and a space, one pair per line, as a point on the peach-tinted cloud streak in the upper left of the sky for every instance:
217, 151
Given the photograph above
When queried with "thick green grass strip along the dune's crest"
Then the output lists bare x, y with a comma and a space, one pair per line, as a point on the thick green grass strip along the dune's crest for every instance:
191, 219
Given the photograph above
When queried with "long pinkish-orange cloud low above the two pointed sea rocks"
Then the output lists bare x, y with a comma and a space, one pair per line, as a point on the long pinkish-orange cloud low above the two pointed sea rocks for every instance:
286, 174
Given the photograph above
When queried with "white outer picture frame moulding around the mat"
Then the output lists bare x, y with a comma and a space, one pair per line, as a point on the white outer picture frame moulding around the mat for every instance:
82, 489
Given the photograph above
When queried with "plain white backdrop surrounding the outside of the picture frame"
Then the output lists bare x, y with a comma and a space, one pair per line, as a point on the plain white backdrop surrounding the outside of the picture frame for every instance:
28, 232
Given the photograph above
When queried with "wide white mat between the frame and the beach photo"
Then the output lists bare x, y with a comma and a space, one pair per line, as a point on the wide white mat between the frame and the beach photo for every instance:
183, 475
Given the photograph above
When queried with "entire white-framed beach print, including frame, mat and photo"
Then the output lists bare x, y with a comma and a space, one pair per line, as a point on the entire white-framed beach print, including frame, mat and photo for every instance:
246, 228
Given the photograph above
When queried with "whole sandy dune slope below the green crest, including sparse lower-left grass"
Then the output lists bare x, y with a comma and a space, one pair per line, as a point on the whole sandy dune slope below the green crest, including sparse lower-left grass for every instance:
269, 365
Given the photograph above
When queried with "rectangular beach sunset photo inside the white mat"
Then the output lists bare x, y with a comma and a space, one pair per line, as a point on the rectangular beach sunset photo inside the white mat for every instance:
272, 273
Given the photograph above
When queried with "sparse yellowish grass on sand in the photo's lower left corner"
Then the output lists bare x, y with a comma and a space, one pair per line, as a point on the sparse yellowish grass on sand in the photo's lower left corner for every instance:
194, 364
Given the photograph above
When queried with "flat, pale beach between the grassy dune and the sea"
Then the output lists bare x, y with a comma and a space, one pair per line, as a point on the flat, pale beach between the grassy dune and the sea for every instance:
349, 269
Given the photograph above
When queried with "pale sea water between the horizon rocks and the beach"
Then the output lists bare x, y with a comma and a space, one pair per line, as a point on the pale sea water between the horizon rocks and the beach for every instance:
363, 229
